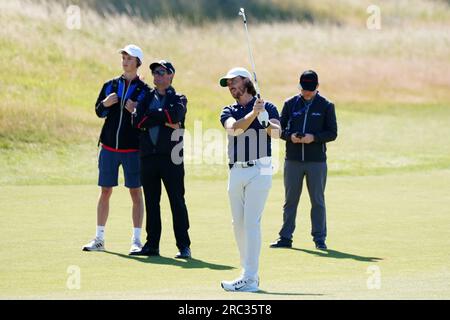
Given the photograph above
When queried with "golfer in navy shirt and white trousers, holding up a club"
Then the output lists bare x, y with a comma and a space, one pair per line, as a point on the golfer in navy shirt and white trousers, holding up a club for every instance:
250, 123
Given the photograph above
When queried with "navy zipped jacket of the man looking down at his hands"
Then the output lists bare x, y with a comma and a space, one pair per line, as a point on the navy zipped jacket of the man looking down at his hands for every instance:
319, 119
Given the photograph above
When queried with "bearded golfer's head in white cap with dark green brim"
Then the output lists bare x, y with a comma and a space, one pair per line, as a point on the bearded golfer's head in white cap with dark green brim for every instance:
238, 81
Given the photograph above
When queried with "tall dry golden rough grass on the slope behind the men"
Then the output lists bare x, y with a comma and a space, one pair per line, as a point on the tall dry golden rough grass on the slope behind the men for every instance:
52, 74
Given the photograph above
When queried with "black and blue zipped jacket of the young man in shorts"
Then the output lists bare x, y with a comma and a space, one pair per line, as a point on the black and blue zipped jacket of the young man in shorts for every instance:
117, 131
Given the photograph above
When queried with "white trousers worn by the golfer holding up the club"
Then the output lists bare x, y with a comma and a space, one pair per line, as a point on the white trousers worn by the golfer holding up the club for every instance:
248, 189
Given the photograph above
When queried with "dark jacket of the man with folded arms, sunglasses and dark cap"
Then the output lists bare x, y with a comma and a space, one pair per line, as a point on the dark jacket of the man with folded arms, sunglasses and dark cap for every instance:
173, 111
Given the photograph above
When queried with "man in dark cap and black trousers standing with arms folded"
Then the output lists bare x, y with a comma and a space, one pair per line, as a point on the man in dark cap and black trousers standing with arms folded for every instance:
159, 117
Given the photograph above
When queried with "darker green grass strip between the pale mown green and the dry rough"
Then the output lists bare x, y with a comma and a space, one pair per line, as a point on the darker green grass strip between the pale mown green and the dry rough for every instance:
373, 140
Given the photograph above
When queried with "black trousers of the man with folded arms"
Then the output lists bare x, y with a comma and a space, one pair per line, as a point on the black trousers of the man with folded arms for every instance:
154, 169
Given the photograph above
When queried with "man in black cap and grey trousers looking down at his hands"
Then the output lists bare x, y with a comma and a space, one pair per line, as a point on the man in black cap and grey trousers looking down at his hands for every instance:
308, 122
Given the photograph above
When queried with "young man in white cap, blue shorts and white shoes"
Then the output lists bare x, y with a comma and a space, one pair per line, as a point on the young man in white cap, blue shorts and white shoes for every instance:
120, 145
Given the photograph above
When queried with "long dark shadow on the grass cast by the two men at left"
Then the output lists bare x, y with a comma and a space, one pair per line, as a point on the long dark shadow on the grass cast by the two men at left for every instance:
182, 263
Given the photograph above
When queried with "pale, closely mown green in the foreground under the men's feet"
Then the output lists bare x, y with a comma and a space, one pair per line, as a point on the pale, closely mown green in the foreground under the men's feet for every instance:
397, 222
